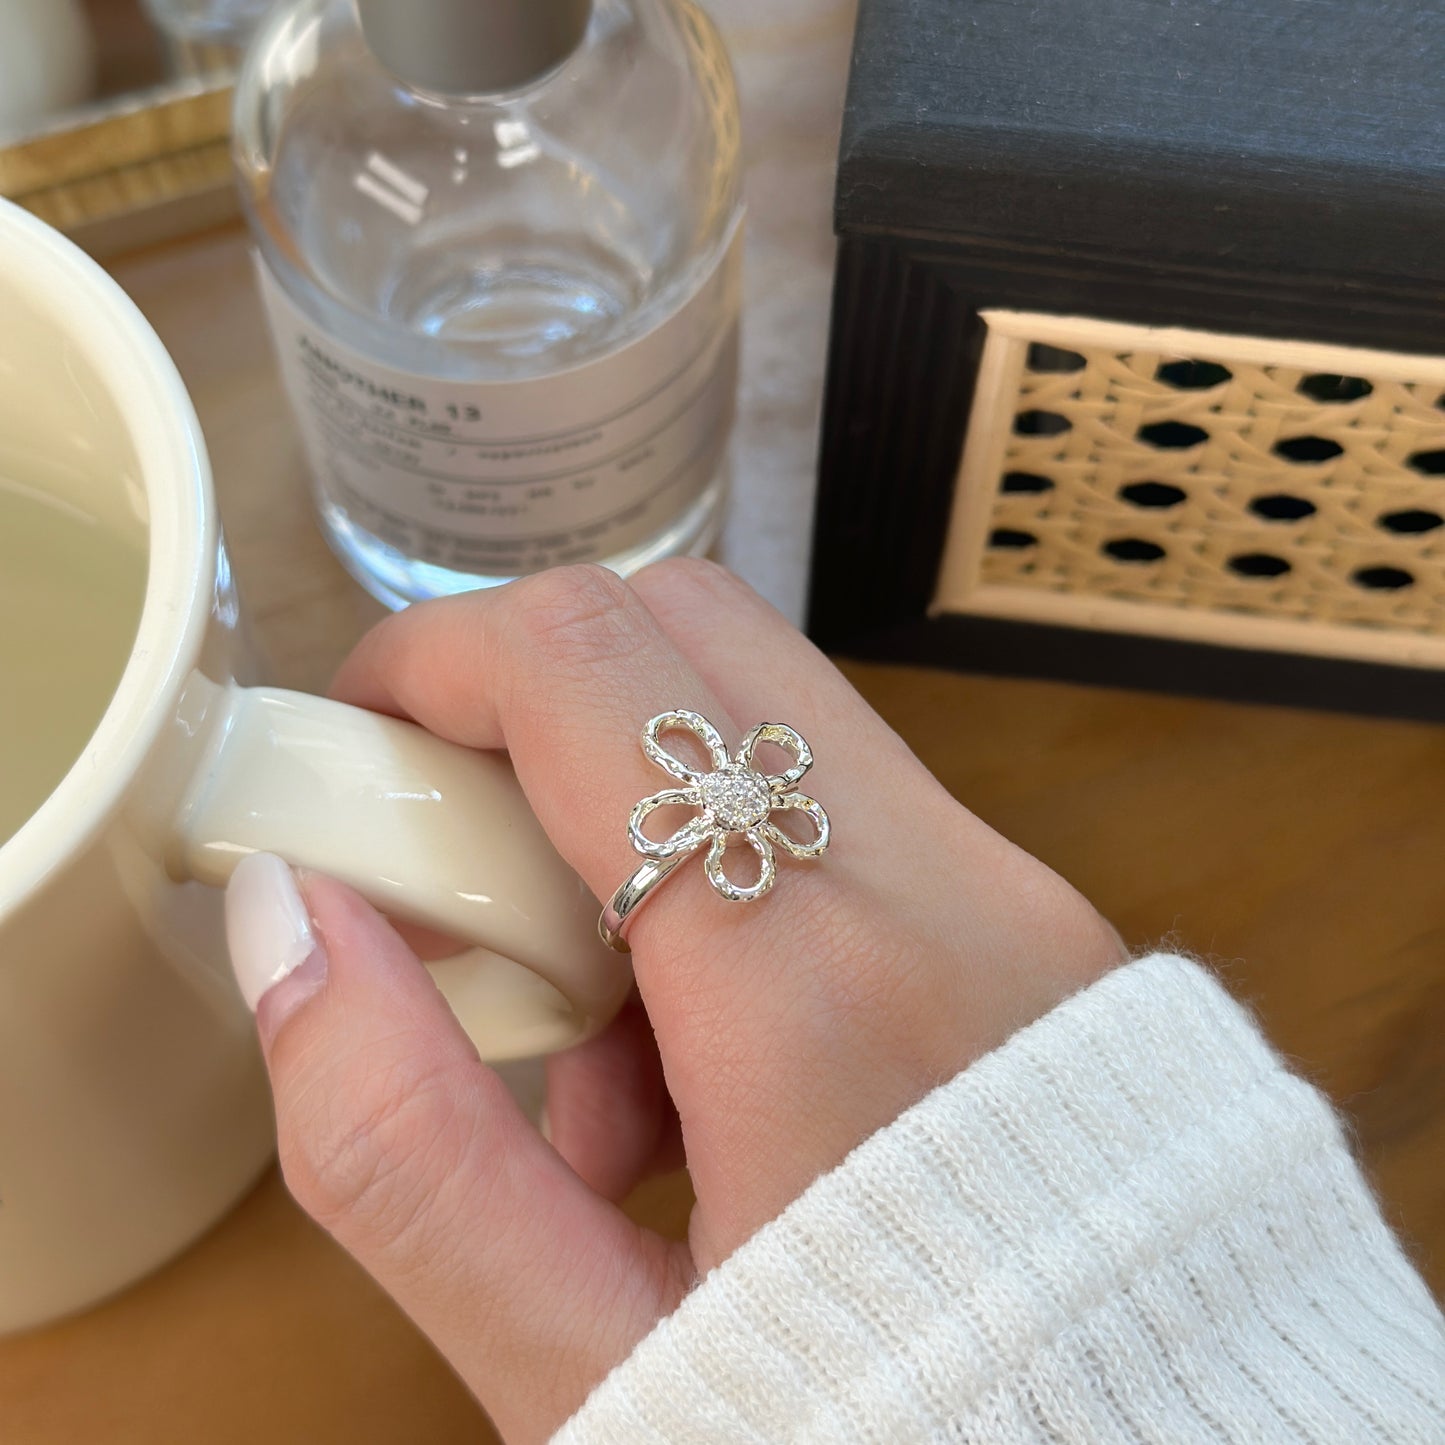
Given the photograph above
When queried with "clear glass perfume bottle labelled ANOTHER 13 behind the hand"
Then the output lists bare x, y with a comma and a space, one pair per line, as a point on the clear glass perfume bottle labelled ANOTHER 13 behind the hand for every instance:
499, 248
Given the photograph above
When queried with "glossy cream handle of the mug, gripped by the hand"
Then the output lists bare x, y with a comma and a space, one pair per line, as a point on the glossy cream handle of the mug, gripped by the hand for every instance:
428, 832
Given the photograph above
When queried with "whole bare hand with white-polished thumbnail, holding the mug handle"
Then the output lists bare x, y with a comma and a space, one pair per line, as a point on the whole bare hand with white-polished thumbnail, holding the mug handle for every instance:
777, 1035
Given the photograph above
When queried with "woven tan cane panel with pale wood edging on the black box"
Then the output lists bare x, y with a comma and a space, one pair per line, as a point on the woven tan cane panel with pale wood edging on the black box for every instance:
1228, 489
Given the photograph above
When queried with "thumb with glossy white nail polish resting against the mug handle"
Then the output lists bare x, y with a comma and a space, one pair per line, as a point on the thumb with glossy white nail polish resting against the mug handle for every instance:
417, 1160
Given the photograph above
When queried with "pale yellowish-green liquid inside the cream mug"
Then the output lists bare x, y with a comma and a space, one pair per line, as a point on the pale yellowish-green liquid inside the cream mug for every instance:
72, 590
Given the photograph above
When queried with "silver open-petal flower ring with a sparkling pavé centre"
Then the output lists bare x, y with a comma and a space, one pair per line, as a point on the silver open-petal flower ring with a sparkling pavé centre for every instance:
733, 798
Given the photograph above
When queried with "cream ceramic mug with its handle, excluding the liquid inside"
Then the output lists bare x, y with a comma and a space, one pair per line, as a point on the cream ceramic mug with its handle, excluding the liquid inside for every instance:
134, 1106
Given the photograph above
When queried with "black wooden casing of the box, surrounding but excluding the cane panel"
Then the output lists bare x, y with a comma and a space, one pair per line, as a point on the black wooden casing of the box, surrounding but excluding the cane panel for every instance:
1249, 168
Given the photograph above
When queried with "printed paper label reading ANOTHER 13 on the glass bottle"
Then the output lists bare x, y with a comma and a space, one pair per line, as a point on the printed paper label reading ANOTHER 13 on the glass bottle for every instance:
508, 478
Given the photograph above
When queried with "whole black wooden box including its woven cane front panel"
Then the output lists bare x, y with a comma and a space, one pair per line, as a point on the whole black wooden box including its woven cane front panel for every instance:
1138, 359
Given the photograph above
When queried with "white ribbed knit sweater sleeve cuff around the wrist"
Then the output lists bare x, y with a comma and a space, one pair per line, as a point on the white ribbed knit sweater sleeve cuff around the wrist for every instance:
1129, 1225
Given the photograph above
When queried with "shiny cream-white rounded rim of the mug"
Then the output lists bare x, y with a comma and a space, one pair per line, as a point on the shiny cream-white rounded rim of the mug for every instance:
109, 330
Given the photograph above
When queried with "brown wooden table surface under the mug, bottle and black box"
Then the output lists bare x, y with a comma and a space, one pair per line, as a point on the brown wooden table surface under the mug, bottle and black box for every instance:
1301, 853
